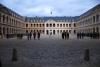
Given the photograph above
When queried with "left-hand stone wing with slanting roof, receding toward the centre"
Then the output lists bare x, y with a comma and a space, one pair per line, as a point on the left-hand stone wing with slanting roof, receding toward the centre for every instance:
10, 22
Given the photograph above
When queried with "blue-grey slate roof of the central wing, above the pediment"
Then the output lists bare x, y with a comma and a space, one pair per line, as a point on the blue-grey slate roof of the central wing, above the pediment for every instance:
56, 19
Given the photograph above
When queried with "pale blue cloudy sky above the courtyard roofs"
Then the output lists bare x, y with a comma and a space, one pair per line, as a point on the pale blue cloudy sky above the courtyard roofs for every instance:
45, 7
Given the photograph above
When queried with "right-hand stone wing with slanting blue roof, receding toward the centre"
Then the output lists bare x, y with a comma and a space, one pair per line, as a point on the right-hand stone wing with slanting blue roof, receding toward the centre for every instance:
89, 22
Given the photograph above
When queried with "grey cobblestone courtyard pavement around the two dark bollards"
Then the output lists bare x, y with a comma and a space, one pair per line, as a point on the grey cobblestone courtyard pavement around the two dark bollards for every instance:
48, 52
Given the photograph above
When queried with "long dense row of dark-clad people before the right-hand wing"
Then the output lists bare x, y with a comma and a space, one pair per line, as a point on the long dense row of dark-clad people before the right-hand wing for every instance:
93, 35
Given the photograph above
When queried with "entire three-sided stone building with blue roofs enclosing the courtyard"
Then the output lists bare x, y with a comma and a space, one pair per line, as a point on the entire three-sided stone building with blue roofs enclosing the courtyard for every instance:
13, 23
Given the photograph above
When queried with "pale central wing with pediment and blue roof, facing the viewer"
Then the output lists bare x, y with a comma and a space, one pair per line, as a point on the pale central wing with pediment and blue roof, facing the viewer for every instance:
50, 25
